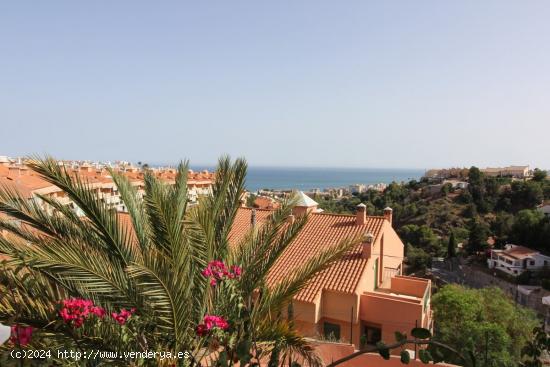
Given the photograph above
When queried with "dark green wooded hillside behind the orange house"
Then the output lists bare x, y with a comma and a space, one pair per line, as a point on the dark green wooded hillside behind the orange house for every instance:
425, 218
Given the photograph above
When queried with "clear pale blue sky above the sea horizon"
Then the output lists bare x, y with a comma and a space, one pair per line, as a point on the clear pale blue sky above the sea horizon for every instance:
303, 83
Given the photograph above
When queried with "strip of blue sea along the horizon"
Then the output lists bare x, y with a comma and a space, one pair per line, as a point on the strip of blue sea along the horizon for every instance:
308, 178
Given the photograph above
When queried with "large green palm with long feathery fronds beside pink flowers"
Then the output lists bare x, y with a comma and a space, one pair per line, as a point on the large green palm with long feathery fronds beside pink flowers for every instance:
151, 260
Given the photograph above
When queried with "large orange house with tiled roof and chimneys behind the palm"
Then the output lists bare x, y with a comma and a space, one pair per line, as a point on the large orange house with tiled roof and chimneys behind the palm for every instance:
363, 298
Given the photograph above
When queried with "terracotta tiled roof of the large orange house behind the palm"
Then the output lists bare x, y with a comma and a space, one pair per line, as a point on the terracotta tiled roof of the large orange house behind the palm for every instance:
320, 232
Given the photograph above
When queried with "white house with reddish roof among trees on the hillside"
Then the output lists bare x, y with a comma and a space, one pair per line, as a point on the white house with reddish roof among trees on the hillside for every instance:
514, 260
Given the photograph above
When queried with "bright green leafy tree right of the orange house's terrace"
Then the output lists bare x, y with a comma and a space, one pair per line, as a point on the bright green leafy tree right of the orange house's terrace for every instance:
485, 322
